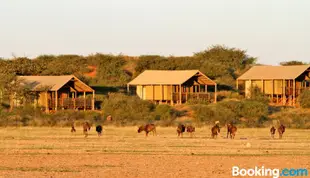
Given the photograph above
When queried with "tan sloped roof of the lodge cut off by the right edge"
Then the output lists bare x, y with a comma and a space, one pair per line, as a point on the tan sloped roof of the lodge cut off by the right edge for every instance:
274, 72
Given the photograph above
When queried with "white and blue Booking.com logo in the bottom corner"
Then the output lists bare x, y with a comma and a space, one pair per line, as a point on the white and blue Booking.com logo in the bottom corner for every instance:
275, 173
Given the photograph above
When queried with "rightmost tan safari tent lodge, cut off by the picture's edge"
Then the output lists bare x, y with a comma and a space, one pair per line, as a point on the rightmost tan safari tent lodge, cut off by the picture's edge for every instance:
283, 84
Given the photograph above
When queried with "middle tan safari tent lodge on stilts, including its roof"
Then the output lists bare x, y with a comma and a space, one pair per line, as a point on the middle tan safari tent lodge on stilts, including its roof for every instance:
173, 86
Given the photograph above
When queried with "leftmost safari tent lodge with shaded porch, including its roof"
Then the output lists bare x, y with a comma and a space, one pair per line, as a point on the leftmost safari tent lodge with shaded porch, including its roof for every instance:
52, 93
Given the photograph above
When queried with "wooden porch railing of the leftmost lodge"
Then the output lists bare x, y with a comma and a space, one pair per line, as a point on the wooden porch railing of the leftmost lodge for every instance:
71, 103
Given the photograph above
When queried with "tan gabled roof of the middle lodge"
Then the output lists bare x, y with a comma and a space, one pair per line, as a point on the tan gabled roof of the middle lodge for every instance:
169, 77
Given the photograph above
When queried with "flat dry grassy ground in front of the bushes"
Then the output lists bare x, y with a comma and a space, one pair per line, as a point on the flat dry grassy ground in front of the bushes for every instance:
120, 152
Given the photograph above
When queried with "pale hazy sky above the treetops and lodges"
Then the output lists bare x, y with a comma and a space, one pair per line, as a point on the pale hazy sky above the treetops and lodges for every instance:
272, 30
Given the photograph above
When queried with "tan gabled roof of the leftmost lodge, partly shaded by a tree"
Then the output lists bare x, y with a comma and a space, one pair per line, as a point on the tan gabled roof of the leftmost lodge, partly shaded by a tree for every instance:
52, 83
